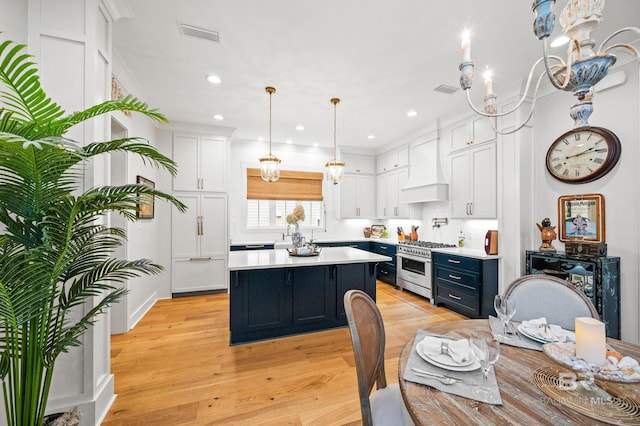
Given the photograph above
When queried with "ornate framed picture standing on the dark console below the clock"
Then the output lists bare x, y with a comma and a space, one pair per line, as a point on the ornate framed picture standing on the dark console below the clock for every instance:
581, 217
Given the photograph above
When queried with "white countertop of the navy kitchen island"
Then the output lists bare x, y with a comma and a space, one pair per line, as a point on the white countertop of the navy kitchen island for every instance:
267, 259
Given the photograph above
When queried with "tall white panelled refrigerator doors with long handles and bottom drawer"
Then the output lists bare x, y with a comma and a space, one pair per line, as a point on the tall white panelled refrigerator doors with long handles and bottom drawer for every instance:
200, 243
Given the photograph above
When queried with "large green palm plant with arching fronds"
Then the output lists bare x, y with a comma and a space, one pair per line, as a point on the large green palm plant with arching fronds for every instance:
57, 270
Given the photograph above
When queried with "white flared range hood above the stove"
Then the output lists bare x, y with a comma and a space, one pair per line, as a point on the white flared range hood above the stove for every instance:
425, 183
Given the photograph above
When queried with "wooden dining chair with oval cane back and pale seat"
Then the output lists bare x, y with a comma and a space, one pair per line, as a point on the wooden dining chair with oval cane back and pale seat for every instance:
384, 405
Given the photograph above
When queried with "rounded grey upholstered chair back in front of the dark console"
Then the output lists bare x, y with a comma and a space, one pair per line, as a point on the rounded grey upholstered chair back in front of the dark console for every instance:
546, 296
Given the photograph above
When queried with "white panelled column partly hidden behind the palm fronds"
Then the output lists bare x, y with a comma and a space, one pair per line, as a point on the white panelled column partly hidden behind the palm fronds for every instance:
71, 42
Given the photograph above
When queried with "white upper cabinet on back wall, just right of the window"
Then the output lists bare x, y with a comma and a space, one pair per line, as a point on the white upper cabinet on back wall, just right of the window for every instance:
357, 196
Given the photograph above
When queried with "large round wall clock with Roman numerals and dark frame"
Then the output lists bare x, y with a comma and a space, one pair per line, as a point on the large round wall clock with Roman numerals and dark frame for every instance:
583, 154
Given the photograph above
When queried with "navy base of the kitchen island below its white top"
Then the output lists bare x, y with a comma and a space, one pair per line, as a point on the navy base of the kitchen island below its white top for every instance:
270, 303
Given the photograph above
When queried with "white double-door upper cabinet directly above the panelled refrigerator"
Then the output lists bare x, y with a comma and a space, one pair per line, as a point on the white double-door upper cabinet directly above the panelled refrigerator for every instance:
202, 163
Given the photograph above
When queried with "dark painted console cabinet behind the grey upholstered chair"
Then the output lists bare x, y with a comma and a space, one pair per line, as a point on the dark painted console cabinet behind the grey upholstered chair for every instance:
597, 277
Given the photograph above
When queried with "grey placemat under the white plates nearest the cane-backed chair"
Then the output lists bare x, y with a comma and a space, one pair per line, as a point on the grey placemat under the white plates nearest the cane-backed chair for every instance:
459, 388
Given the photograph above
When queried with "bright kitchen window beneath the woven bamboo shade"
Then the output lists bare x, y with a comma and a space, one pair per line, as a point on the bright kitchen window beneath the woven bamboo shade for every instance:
273, 213
